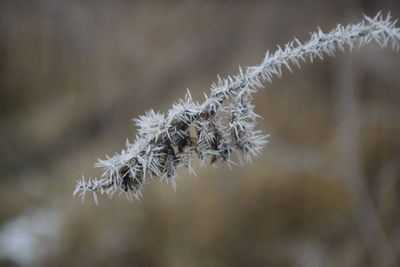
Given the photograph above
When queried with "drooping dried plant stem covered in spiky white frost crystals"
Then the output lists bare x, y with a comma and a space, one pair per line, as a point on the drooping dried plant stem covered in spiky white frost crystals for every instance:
224, 124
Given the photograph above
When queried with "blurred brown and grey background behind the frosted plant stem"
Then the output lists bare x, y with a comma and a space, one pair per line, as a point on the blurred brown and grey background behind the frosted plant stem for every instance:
324, 192
